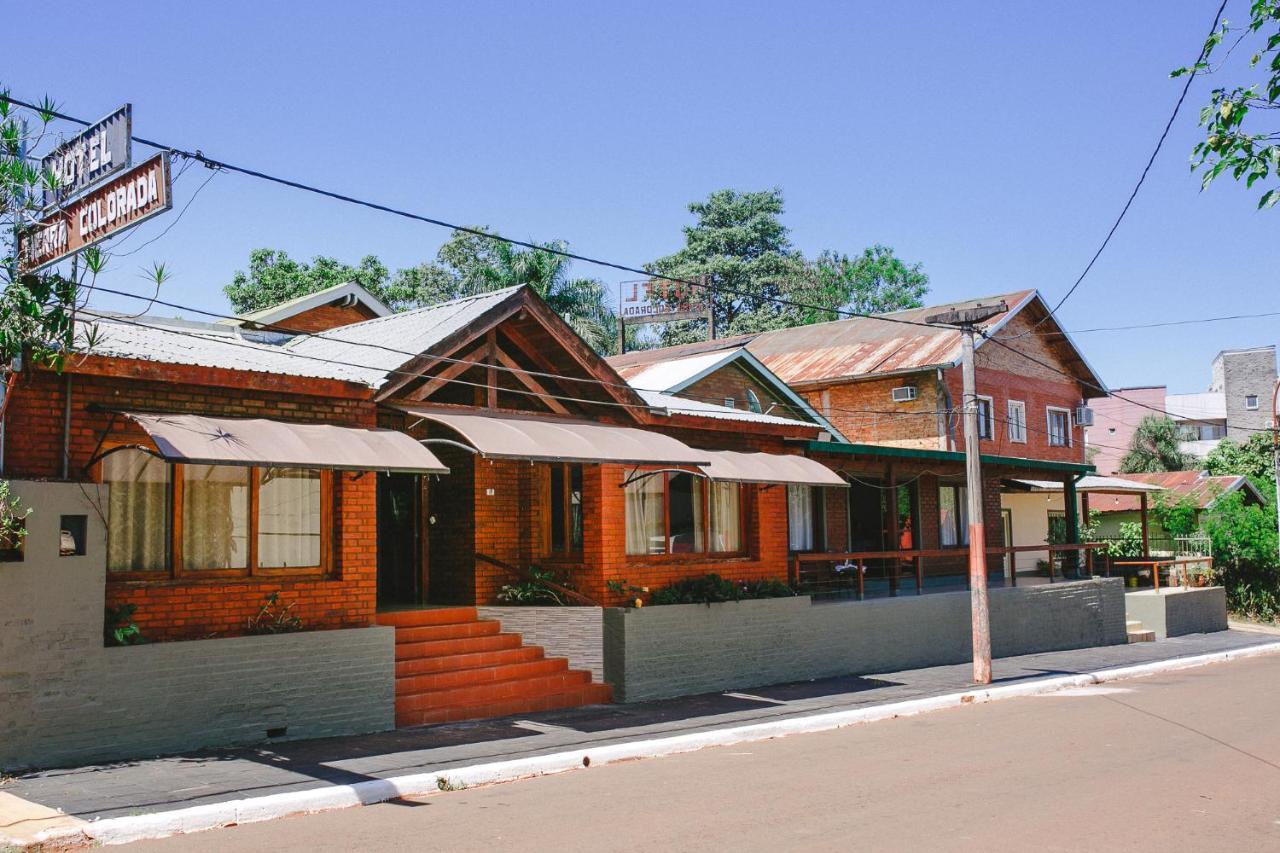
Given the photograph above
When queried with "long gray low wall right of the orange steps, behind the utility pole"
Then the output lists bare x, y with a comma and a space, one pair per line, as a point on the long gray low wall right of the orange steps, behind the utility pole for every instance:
684, 650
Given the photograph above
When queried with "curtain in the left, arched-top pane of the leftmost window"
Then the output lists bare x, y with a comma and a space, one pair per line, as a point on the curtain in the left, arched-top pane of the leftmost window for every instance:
138, 514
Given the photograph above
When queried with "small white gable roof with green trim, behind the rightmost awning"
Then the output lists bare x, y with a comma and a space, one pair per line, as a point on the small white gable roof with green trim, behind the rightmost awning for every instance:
661, 382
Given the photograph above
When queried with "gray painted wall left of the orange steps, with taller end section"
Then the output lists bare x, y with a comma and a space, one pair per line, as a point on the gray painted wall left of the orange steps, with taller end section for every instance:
67, 700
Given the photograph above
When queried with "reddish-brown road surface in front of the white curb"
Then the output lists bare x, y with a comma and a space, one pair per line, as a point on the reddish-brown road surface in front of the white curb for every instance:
1187, 761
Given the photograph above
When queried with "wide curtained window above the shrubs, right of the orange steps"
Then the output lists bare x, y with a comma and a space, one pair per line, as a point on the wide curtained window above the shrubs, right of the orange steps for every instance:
673, 513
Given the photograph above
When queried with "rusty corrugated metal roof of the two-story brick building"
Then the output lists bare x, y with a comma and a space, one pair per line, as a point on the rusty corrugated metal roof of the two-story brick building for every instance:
867, 346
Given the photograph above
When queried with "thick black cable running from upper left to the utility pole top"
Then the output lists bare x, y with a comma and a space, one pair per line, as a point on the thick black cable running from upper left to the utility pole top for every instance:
432, 221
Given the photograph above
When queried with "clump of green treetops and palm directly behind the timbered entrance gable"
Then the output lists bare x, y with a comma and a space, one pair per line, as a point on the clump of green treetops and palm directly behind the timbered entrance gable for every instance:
468, 264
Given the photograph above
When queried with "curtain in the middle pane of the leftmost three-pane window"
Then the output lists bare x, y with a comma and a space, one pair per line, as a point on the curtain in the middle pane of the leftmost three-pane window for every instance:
214, 517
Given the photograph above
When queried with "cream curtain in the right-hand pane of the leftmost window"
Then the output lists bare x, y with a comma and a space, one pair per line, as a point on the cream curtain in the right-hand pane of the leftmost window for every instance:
289, 518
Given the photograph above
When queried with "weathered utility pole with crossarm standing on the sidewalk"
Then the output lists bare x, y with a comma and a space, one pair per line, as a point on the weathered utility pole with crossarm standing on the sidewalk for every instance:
967, 320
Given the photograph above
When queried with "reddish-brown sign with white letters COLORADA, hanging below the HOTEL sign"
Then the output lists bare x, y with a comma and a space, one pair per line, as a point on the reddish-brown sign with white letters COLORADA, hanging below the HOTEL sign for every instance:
120, 204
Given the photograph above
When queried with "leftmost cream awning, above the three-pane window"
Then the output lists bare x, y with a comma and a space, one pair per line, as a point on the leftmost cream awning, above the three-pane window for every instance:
198, 440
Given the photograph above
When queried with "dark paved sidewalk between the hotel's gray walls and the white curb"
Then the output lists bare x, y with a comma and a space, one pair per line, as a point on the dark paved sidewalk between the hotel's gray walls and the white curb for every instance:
180, 782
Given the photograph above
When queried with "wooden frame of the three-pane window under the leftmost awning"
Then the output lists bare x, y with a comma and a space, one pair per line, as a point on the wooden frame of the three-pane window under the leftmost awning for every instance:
252, 571
